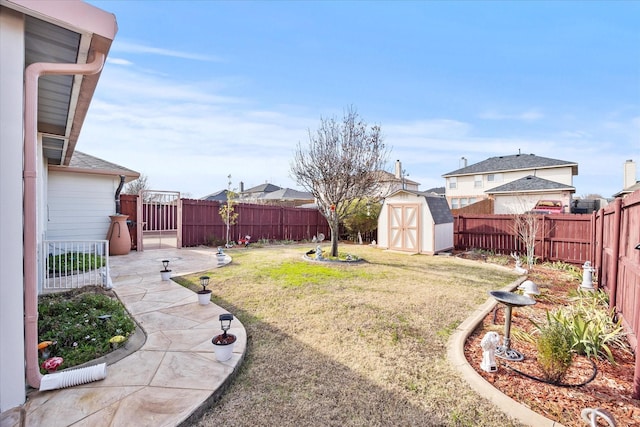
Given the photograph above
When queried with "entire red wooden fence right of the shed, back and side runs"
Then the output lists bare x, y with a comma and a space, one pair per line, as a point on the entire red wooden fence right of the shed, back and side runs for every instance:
609, 239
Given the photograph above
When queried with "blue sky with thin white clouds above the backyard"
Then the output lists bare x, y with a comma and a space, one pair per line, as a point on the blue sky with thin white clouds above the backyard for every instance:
194, 91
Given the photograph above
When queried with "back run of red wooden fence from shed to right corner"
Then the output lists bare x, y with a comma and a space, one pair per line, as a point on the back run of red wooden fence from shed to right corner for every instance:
567, 238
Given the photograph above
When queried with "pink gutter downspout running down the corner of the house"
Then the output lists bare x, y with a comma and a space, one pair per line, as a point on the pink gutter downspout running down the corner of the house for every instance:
32, 74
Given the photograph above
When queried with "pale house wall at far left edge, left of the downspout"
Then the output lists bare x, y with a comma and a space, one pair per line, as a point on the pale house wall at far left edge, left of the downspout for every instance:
12, 369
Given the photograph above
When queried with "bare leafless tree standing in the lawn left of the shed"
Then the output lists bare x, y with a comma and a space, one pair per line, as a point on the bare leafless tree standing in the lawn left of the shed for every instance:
339, 166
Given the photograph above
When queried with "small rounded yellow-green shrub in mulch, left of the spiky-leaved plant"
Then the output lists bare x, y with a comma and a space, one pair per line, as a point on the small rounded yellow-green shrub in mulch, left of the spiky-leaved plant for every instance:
554, 351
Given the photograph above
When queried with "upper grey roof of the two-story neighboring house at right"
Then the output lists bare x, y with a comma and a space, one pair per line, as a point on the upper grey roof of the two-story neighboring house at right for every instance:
512, 163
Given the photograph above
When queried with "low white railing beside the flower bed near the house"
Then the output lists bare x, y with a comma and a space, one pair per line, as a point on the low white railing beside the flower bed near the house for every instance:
69, 264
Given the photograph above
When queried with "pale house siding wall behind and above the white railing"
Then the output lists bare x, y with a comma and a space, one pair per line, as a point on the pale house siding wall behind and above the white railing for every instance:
79, 209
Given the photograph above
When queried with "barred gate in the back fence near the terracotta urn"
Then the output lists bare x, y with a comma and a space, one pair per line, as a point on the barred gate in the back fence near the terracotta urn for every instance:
159, 220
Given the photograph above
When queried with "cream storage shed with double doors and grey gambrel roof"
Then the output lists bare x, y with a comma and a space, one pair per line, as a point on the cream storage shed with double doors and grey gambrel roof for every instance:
416, 222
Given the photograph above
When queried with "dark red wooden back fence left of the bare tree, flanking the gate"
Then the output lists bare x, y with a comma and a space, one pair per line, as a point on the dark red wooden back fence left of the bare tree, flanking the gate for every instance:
202, 224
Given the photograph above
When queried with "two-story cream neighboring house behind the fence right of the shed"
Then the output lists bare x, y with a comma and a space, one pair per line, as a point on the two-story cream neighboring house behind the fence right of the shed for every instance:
515, 182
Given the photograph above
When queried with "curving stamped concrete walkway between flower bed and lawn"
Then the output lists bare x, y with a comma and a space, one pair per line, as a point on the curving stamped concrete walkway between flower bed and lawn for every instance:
174, 376
